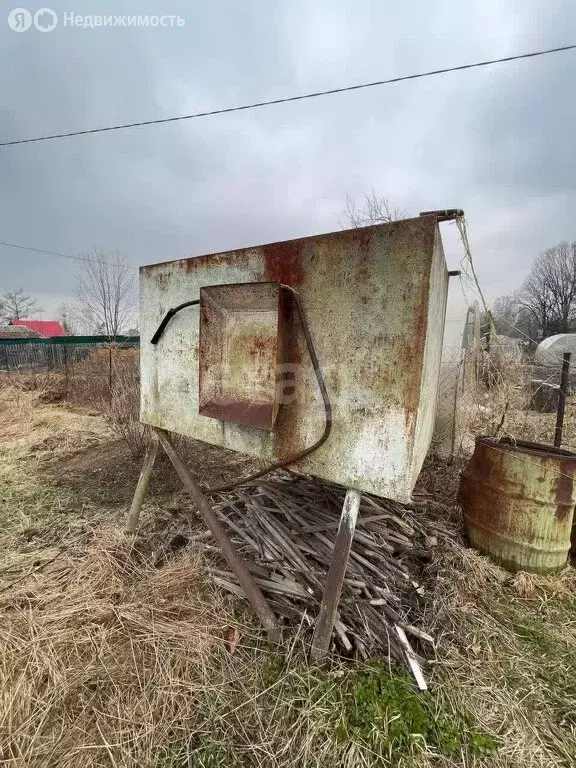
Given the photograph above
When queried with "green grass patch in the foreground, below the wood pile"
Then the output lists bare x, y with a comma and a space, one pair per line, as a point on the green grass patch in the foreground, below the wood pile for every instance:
374, 709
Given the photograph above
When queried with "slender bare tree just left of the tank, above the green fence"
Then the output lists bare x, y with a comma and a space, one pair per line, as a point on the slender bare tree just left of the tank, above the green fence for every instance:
105, 292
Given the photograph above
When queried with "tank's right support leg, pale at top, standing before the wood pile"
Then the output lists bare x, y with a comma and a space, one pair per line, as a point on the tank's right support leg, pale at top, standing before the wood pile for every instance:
335, 578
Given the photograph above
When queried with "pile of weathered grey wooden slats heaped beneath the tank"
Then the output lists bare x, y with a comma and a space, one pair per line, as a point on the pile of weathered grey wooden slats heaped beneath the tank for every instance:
285, 528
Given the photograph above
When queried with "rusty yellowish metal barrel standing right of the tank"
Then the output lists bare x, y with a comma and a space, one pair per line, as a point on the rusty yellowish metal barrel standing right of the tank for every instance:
518, 501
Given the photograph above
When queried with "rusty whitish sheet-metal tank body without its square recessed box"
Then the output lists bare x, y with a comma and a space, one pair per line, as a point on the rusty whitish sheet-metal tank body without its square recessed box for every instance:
375, 301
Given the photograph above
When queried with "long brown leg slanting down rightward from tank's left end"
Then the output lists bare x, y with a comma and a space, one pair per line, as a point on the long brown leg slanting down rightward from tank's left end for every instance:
253, 592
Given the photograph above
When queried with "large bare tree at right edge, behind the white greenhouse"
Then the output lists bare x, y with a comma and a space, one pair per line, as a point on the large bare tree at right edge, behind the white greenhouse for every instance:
548, 294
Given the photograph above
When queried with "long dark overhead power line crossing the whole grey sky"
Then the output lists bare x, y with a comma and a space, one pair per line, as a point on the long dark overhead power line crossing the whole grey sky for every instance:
301, 97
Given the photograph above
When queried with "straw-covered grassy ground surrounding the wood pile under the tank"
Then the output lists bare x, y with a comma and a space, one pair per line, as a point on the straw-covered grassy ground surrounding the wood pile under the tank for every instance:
120, 651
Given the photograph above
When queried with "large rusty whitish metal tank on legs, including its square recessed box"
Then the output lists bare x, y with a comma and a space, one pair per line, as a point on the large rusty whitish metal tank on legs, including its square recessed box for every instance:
233, 369
